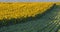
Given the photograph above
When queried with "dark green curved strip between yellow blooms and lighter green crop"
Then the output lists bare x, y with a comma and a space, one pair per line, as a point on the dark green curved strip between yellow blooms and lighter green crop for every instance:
22, 20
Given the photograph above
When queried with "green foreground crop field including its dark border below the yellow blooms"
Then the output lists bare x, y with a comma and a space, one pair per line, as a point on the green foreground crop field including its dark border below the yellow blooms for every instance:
48, 21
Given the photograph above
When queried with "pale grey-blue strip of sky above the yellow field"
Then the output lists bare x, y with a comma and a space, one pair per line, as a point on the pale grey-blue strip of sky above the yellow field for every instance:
29, 0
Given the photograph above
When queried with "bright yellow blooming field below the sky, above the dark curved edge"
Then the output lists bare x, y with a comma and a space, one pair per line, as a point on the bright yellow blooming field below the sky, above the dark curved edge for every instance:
20, 10
